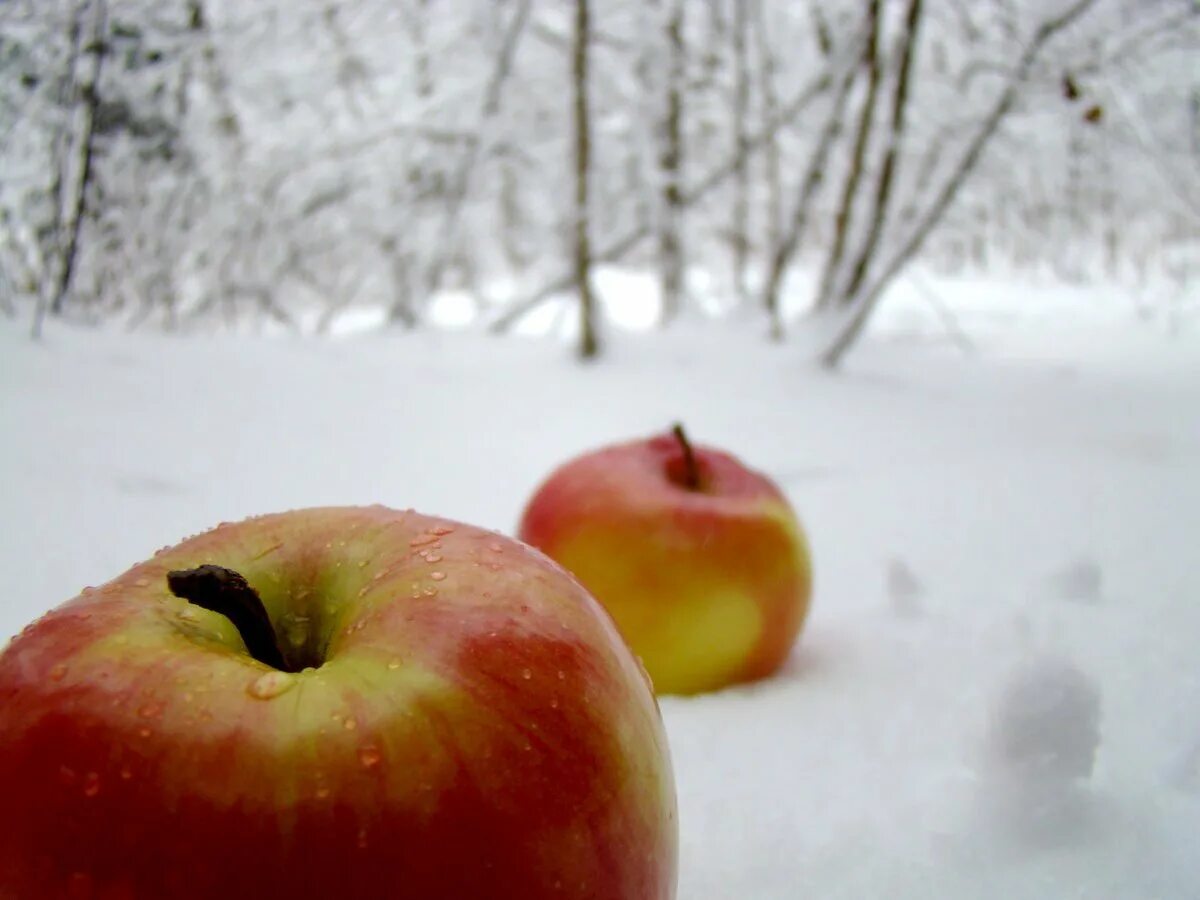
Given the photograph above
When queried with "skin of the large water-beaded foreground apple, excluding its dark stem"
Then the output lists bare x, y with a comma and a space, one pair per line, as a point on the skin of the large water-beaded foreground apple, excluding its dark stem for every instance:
478, 729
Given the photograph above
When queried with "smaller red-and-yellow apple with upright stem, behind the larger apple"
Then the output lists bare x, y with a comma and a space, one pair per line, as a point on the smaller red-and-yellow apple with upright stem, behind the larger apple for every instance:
701, 561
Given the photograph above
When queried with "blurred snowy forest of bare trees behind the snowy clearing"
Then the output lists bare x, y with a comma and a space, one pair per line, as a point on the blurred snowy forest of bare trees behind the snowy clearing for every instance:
191, 165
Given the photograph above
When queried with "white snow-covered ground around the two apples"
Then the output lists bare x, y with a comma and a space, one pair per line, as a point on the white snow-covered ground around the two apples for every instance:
999, 691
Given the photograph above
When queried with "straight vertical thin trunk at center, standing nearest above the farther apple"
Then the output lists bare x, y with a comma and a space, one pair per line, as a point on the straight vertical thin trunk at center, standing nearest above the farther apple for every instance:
590, 345
